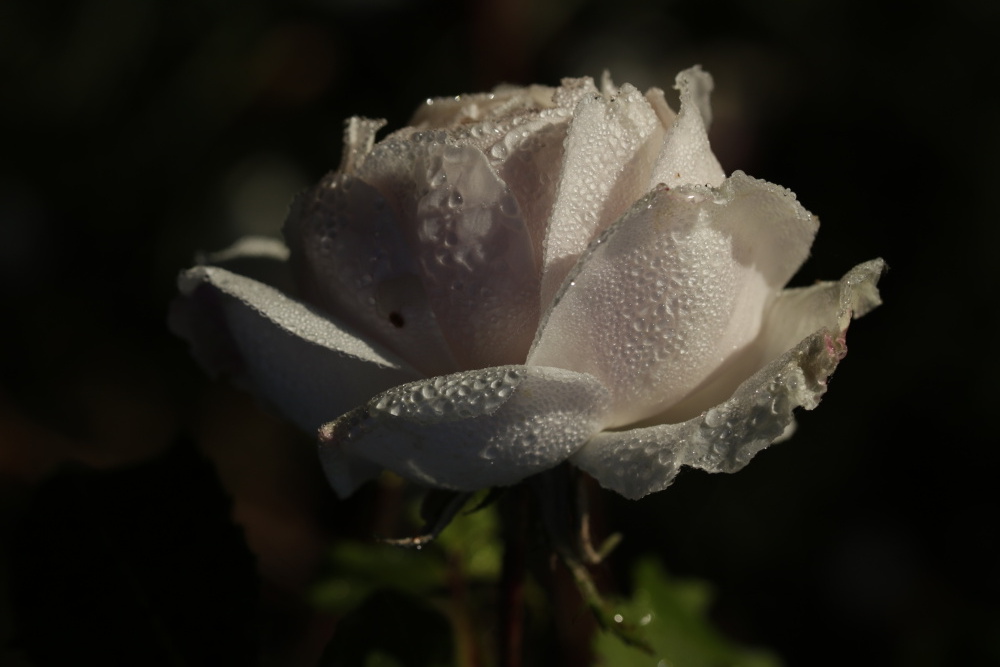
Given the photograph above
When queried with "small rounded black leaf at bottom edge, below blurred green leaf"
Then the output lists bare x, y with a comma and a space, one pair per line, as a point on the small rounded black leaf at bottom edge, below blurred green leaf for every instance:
391, 628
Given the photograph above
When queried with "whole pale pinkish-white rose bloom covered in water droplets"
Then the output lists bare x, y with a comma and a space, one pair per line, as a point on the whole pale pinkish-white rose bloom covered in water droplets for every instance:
526, 277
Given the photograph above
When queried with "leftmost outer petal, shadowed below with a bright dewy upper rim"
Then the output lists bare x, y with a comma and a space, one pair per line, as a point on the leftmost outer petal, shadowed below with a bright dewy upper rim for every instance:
309, 366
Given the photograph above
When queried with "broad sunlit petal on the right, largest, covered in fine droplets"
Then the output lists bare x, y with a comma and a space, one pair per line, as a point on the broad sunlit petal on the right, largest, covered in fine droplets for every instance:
673, 289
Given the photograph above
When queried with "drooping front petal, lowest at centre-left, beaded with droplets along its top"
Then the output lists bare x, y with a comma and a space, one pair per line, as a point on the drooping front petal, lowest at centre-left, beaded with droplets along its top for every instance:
470, 430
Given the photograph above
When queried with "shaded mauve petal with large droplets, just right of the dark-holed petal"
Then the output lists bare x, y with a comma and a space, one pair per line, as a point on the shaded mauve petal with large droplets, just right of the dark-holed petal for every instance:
474, 252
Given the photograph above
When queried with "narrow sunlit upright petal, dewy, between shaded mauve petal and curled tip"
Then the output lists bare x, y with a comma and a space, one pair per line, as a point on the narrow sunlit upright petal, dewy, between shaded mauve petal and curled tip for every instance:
610, 149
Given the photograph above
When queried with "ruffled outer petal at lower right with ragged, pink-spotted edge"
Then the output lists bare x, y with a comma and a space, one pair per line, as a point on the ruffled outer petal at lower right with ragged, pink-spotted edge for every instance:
724, 439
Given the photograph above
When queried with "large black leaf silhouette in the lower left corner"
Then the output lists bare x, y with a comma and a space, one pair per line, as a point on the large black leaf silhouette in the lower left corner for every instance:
142, 566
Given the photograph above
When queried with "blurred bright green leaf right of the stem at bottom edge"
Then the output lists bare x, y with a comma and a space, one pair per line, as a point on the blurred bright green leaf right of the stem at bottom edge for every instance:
672, 614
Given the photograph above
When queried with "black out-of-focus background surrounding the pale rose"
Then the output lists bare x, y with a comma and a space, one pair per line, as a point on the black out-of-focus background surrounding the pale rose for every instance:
137, 133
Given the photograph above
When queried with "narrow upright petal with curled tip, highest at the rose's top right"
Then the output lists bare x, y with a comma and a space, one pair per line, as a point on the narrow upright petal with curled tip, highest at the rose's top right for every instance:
686, 157
